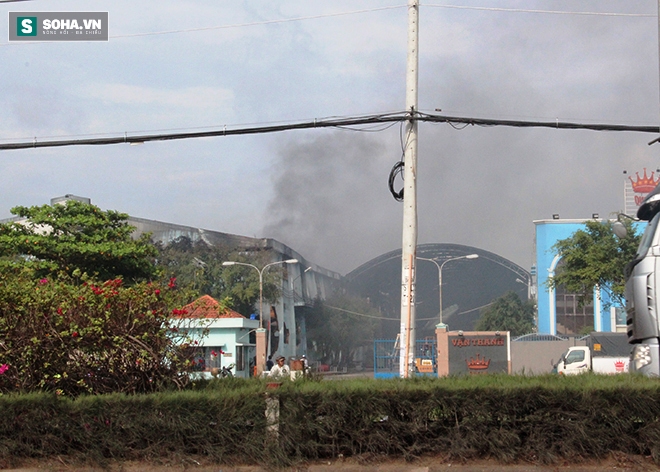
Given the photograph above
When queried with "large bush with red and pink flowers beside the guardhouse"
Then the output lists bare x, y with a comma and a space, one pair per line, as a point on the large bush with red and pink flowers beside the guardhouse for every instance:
94, 337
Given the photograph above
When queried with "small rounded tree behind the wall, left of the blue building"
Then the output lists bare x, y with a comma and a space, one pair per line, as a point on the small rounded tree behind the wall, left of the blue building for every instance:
508, 313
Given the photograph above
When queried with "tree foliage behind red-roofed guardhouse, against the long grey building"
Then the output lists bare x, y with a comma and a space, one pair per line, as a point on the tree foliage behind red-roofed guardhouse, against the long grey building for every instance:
199, 266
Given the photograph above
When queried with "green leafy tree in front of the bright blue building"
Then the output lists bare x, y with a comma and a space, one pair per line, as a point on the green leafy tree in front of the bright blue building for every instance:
595, 256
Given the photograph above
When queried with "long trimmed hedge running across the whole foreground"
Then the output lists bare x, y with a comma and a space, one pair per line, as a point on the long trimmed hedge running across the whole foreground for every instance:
511, 419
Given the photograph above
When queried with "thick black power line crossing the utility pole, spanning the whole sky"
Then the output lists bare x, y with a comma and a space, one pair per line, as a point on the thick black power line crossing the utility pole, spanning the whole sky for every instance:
322, 123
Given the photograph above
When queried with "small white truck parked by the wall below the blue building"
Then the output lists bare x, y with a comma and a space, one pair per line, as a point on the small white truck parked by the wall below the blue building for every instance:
605, 353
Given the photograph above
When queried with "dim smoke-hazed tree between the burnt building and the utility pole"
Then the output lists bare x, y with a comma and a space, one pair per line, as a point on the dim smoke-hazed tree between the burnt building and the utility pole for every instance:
339, 325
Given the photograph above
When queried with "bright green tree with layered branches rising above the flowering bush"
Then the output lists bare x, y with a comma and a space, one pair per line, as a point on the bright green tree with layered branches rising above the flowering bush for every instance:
76, 237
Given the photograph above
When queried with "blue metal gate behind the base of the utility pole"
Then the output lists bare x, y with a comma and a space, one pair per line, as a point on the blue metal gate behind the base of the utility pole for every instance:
387, 354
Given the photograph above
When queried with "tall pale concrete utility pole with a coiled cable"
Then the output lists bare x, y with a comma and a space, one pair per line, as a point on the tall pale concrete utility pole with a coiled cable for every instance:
409, 246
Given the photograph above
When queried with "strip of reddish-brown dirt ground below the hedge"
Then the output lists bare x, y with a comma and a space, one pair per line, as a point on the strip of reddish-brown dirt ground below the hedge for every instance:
619, 463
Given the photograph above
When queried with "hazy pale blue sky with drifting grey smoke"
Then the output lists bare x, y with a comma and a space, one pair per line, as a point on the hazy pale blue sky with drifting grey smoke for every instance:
324, 192
